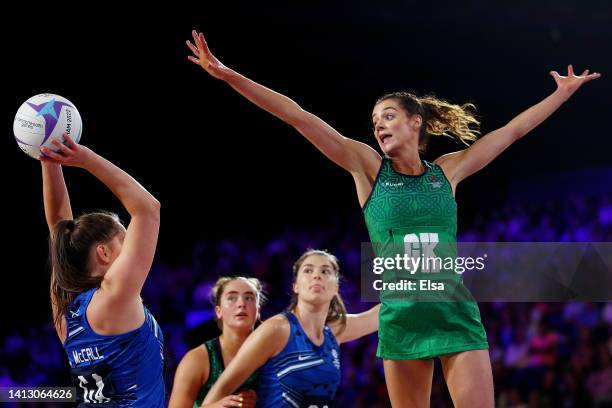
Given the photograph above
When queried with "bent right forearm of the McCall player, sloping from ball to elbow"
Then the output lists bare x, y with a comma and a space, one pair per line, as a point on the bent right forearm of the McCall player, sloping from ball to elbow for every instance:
134, 197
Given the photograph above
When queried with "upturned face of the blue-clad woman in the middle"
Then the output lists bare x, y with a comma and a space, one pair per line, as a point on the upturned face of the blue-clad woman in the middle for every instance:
316, 281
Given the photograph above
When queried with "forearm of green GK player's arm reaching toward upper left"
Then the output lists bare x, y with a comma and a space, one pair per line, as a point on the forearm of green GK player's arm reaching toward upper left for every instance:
273, 102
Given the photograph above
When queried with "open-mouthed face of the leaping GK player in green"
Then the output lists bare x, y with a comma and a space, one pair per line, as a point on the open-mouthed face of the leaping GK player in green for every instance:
394, 127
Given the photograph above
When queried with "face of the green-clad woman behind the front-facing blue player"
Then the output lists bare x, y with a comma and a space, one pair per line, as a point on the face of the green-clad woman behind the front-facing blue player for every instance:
238, 307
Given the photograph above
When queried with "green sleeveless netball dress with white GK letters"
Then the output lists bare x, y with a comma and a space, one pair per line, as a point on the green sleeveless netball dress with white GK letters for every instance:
418, 214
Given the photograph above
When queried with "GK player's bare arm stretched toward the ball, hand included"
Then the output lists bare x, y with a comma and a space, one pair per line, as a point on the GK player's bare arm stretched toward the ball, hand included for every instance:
353, 156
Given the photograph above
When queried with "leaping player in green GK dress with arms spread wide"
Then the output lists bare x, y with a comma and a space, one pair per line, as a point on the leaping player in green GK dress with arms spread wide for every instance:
406, 198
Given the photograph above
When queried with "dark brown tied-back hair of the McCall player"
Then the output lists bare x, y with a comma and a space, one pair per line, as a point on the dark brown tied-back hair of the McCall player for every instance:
70, 245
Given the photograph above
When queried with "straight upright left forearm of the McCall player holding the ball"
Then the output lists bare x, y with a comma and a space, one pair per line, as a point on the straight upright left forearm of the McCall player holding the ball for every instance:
55, 194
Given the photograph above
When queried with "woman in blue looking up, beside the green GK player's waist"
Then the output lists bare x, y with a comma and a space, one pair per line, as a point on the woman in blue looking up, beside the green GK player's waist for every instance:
298, 351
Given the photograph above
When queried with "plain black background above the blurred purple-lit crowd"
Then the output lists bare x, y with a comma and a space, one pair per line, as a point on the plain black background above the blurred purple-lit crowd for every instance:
223, 168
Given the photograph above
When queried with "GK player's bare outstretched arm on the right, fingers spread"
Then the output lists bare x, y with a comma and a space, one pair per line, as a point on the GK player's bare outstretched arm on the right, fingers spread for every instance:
459, 165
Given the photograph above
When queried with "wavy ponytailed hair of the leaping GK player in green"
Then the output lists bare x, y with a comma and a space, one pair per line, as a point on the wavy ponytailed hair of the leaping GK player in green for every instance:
440, 118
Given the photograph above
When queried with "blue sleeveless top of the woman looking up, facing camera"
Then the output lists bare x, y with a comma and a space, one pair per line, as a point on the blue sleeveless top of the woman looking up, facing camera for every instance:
303, 374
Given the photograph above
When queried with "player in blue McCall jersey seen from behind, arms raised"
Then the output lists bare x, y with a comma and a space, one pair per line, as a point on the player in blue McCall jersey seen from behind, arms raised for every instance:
113, 343
